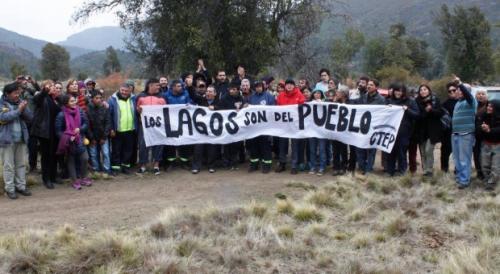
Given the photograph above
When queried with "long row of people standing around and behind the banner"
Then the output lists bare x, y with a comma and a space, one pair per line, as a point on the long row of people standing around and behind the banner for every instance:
75, 128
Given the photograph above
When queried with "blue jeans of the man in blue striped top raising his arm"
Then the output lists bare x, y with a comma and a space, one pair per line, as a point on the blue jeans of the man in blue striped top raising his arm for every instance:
462, 156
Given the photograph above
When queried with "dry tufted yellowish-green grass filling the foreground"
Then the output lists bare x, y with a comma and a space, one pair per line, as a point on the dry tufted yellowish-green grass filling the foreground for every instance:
347, 225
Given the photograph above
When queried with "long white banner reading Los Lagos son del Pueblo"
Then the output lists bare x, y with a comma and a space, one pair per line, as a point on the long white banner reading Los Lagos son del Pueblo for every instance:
364, 126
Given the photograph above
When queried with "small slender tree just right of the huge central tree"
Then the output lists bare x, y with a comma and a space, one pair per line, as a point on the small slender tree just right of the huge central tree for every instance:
344, 50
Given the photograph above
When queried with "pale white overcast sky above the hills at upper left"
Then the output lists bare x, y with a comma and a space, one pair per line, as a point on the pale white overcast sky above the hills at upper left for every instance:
48, 20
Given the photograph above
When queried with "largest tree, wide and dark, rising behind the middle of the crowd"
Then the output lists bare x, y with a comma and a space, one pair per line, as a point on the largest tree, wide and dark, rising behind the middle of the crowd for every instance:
172, 35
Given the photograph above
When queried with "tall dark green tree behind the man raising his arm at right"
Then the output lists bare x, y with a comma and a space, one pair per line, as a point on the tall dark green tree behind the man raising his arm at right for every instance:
467, 42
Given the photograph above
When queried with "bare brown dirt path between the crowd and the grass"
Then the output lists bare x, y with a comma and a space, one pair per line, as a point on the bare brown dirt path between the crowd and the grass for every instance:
130, 201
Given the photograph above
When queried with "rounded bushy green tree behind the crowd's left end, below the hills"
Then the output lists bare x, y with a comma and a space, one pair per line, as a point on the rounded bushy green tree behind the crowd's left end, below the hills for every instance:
55, 62
